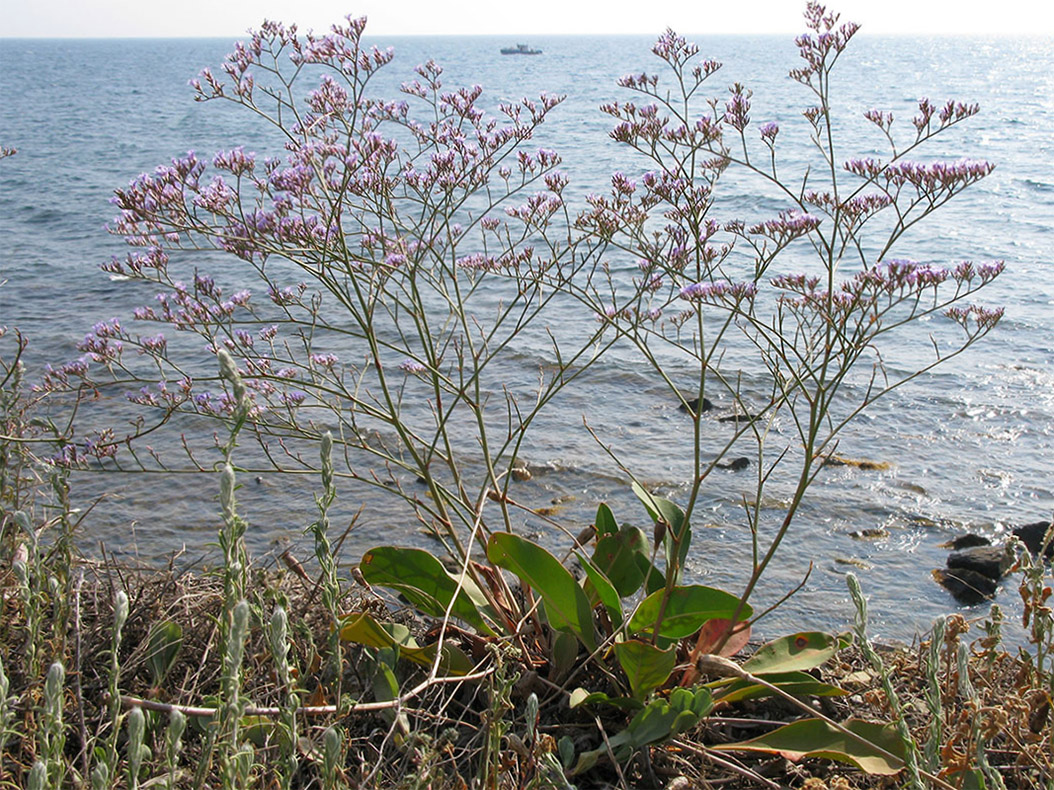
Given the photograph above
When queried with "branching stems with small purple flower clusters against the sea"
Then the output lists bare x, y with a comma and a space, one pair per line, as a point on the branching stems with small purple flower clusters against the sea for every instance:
402, 251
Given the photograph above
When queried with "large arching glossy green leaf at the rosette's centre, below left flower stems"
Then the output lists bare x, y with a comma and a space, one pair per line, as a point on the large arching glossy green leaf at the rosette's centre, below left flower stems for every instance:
565, 602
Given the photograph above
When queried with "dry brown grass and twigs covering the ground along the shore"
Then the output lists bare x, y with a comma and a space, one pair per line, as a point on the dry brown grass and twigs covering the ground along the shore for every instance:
460, 735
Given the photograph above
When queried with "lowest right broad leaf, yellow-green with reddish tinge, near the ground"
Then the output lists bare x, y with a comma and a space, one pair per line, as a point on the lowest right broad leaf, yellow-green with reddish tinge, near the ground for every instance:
813, 738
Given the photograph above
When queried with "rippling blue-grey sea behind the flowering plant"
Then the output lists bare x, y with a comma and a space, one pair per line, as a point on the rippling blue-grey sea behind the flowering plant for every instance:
968, 448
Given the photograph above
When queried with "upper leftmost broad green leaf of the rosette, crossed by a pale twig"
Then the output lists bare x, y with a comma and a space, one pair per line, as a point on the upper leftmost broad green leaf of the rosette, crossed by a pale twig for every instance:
423, 581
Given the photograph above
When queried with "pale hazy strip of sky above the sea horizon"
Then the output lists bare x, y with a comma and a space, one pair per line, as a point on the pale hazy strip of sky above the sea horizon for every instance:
232, 18
